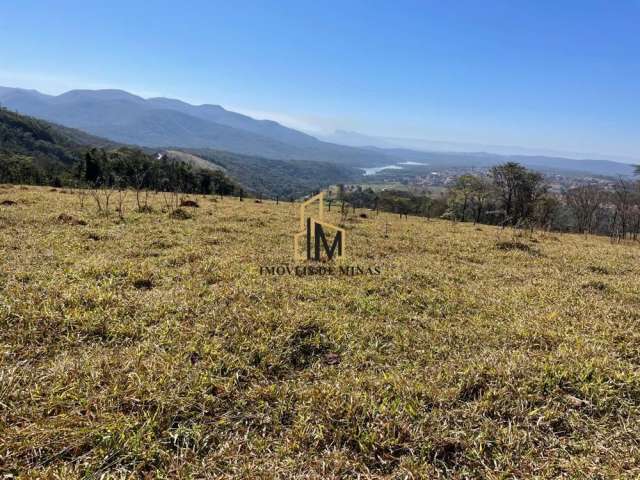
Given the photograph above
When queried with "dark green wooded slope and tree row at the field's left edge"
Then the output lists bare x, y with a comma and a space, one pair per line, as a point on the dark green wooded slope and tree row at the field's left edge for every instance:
36, 152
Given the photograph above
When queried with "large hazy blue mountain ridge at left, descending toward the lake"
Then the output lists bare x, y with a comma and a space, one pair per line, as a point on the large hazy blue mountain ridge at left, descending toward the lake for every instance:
163, 122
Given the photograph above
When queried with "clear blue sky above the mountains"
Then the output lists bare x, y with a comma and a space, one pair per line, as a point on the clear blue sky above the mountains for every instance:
556, 74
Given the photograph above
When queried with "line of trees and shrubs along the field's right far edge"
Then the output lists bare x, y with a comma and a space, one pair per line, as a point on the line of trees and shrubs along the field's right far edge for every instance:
512, 195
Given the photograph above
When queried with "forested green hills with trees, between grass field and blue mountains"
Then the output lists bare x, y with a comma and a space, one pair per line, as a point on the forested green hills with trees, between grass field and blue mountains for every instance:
34, 151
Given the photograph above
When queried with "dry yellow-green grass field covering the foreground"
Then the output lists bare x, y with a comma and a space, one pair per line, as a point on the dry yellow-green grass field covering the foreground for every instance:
151, 347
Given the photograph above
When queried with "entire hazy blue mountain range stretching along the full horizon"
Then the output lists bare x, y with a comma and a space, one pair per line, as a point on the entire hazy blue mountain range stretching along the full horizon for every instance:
168, 123
